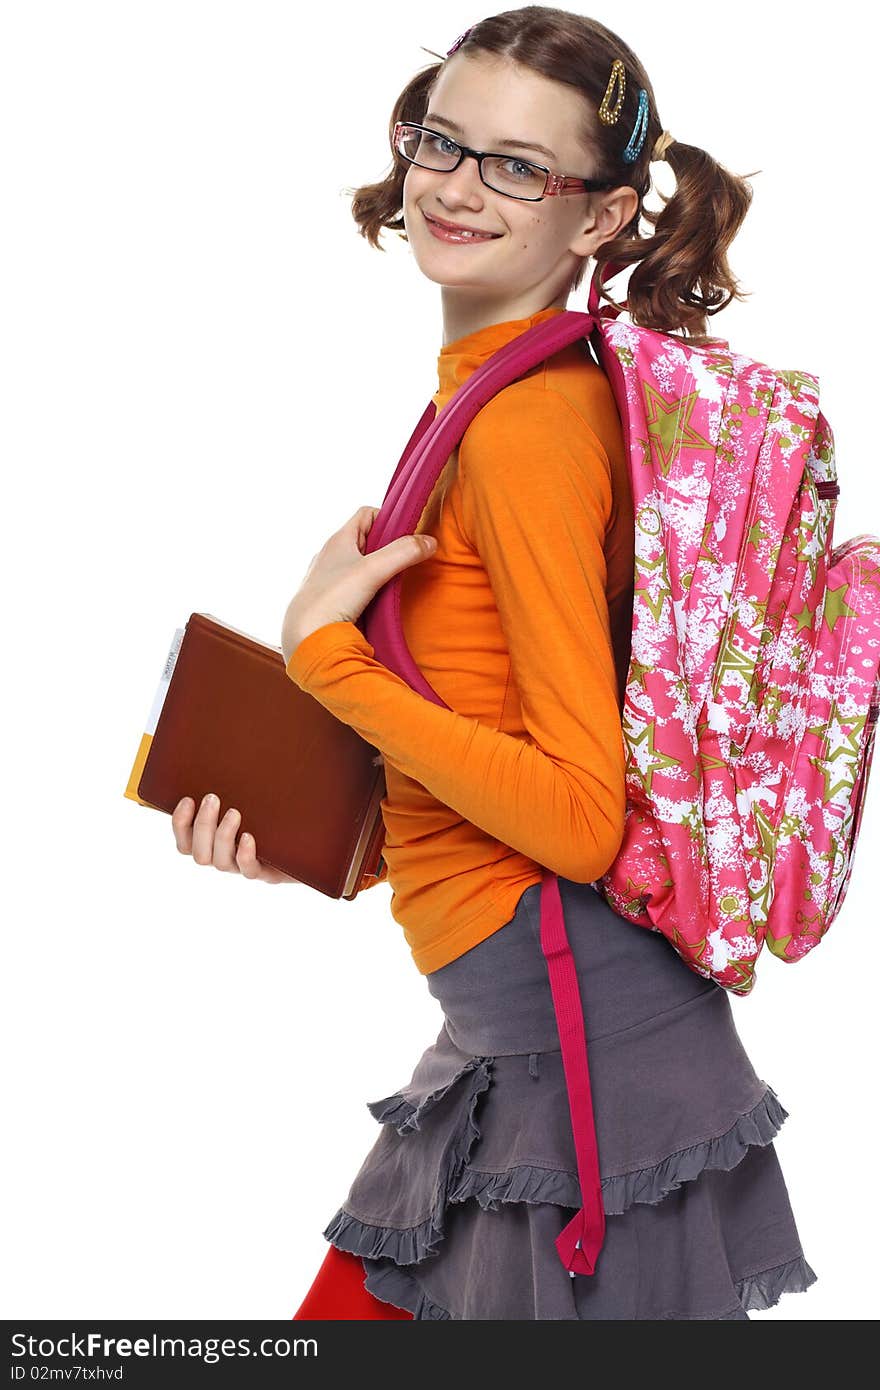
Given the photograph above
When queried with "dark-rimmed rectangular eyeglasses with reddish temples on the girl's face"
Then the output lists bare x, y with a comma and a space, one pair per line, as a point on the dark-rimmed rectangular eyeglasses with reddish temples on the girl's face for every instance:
505, 174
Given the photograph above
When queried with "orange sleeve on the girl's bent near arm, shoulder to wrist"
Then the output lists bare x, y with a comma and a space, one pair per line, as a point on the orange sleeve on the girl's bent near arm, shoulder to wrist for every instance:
536, 500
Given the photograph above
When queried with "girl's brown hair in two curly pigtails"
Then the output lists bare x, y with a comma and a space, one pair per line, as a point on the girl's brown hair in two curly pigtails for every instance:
681, 272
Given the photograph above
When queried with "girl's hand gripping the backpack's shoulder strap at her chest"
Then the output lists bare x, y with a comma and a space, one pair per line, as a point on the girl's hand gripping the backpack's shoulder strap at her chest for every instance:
341, 579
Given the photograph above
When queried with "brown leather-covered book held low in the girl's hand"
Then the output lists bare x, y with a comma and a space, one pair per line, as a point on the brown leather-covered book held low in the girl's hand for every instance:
229, 719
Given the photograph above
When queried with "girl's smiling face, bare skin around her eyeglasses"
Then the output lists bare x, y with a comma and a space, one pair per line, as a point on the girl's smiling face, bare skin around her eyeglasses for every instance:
533, 258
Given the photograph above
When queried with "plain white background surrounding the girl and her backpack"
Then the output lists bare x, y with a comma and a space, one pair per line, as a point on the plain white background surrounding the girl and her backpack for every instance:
206, 370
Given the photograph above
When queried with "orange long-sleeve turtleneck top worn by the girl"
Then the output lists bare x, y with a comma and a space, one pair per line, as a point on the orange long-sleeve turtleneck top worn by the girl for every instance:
522, 622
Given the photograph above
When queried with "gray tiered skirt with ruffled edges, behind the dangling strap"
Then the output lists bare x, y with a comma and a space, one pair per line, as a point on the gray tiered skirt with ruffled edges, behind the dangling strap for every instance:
457, 1207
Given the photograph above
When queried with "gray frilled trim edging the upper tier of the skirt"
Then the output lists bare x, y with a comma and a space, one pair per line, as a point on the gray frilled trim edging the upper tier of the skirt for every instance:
528, 1184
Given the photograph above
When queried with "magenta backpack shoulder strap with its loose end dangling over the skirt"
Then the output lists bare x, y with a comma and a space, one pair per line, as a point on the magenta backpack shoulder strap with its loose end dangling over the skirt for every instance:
430, 445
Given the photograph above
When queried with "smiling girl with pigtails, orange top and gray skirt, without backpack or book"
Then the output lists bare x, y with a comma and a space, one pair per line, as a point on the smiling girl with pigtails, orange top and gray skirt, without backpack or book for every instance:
518, 605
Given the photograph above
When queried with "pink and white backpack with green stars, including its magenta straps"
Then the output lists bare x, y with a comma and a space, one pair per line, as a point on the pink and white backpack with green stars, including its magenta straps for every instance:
754, 683
